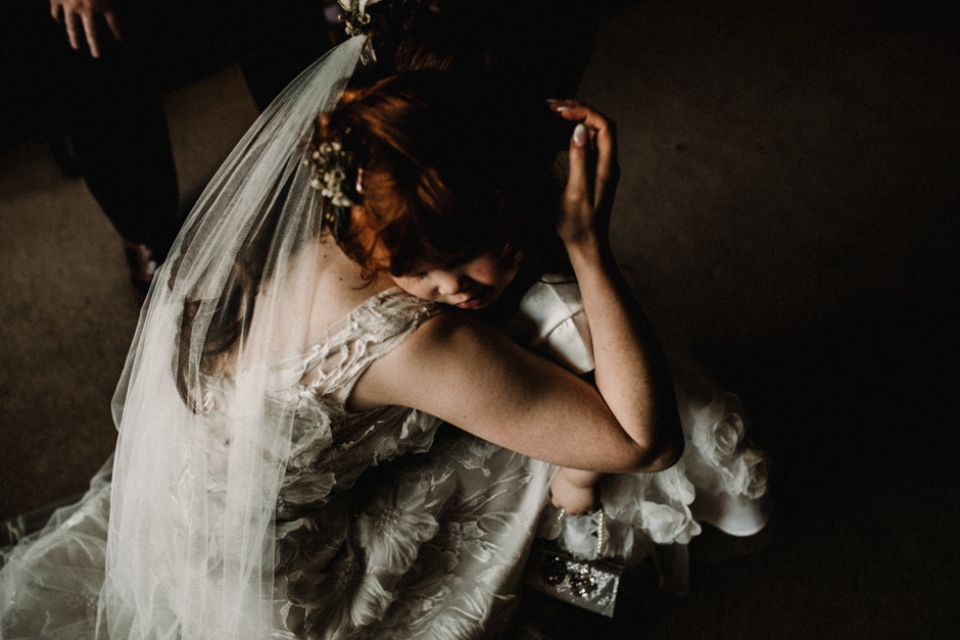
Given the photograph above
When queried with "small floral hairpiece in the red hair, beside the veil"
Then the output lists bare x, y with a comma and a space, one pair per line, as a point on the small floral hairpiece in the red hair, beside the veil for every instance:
334, 166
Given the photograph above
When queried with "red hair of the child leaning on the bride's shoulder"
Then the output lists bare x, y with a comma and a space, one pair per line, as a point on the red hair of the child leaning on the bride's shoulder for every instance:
442, 171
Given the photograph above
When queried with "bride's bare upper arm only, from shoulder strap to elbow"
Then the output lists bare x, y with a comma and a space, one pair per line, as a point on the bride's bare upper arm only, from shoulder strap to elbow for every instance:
470, 375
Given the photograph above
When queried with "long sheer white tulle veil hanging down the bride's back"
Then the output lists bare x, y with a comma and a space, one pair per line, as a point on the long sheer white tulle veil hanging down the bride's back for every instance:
200, 456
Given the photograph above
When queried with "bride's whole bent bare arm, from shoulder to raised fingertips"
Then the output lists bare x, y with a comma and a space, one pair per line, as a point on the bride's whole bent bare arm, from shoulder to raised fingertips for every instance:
471, 376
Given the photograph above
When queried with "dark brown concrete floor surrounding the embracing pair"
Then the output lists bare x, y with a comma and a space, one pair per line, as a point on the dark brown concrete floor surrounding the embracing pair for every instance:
789, 208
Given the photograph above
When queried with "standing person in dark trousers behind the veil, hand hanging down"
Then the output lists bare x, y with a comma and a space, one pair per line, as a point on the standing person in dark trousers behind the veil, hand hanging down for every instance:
106, 65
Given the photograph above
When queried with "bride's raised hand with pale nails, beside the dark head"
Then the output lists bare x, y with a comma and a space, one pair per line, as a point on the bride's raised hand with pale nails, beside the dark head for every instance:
588, 197
